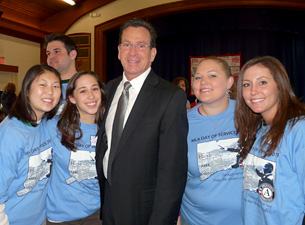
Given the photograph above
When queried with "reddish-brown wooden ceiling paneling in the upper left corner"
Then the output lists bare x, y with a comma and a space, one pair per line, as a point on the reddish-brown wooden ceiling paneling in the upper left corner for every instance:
27, 22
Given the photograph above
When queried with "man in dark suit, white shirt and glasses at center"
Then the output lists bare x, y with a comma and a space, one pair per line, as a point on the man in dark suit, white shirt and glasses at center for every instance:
142, 179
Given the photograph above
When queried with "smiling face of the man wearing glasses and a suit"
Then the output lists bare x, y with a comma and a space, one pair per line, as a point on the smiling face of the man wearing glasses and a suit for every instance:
136, 61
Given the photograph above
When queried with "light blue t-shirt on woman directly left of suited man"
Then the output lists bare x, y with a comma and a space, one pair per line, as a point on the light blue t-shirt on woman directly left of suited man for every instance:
73, 190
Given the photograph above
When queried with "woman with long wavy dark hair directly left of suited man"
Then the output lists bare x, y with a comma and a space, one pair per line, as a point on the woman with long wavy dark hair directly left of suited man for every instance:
73, 190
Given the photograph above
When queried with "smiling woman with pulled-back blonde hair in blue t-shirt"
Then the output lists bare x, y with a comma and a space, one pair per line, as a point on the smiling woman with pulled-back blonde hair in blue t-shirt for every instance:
214, 181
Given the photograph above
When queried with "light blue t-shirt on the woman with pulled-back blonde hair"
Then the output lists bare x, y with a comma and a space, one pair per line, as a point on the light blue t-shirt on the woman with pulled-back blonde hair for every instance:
214, 182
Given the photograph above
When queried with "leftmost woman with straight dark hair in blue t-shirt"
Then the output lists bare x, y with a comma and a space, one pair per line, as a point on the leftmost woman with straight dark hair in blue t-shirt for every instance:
25, 149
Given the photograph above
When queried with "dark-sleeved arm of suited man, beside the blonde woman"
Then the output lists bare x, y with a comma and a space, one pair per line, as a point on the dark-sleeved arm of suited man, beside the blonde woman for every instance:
172, 162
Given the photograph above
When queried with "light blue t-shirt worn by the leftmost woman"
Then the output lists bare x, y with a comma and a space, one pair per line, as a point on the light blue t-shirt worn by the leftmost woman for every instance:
25, 161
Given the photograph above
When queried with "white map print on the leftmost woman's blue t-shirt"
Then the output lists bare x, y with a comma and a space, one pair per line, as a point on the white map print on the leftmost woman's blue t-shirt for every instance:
39, 169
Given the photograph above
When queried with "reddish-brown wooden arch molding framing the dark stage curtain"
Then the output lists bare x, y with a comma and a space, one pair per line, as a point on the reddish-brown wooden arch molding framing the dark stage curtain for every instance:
102, 29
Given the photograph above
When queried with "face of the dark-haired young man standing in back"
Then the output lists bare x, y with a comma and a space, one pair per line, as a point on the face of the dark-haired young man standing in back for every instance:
58, 57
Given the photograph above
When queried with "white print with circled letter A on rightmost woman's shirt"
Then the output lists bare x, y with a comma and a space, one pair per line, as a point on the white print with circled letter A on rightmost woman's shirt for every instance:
259, 176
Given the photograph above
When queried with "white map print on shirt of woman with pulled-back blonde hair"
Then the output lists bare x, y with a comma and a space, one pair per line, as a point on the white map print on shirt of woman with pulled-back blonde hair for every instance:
216, 156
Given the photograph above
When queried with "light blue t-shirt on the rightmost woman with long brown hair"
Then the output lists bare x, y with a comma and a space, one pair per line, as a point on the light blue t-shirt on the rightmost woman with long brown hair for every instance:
273, 187
